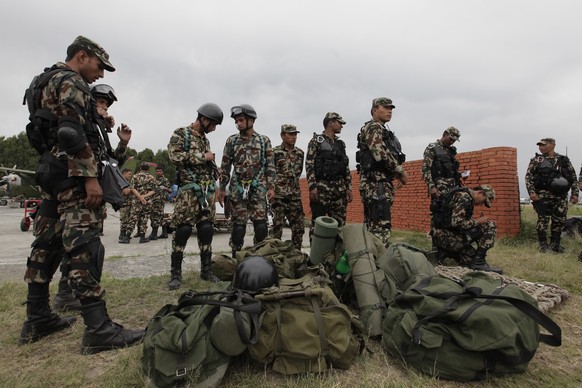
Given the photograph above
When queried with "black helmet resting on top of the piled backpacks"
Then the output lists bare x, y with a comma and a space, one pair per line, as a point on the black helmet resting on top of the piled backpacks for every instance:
255, 273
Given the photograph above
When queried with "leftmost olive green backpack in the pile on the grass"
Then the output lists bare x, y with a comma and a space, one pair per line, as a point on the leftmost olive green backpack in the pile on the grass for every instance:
193, 341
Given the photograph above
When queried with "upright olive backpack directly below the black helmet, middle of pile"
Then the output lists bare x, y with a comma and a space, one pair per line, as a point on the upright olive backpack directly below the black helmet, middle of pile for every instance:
304, 328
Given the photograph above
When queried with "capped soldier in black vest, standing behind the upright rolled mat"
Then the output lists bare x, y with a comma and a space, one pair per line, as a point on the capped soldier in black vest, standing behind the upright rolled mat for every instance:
328, 172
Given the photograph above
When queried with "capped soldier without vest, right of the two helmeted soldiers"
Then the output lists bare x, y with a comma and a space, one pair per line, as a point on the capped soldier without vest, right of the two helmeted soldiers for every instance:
287, 202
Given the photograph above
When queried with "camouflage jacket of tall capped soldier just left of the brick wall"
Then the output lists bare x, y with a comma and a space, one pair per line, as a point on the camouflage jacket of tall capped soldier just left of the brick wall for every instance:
372, 135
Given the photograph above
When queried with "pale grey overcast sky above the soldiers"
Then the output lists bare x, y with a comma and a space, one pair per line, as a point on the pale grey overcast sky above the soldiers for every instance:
505, 72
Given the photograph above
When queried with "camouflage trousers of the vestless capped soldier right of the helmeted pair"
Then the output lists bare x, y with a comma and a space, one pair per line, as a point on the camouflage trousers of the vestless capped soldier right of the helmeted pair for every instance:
292, 209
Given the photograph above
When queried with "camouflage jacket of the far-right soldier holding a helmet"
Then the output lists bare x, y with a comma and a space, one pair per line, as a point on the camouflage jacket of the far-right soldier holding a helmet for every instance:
560, 165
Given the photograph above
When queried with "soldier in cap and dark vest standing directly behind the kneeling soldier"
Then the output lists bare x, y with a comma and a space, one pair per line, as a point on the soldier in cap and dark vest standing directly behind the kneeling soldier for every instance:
440, 168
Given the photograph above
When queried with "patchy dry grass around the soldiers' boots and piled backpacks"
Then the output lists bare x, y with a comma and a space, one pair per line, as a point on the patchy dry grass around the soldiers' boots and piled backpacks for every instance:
55, 360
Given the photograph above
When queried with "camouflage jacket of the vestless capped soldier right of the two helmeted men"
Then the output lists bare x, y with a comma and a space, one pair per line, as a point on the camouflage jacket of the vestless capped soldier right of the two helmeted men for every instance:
289, 166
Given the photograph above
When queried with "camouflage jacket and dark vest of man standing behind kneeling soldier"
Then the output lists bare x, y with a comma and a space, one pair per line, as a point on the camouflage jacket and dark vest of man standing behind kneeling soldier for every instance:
440, 168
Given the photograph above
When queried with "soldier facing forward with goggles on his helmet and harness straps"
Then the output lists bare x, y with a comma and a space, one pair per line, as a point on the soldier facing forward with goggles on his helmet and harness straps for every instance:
250, 156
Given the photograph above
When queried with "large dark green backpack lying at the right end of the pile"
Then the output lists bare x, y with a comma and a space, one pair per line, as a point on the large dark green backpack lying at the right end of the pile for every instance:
466, 329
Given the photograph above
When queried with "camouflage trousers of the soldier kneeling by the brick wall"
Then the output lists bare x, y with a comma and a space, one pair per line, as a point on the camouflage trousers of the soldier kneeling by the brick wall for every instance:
458, 241
